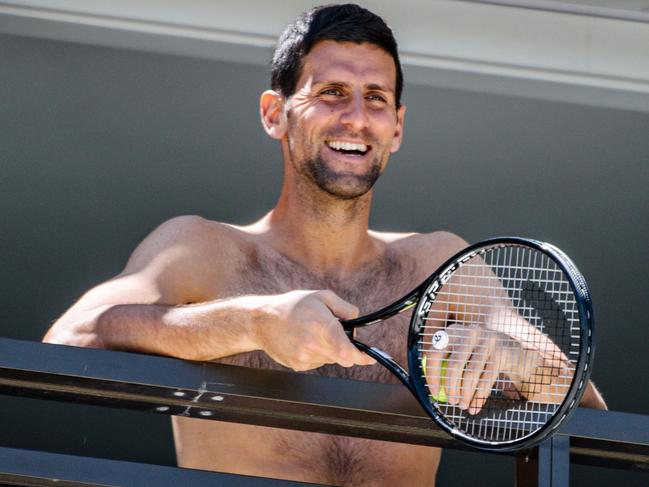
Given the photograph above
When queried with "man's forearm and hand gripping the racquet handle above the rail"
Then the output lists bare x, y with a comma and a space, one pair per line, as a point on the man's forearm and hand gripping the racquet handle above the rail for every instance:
298, 329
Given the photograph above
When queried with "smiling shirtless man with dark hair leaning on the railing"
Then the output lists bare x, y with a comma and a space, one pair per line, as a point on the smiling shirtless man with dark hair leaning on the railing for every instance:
271, 294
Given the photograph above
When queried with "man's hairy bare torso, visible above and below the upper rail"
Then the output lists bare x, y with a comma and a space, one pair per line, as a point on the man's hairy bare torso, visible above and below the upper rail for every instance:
315, 457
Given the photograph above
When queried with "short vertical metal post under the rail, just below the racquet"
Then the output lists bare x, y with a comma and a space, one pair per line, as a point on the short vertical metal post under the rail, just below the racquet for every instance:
547, 465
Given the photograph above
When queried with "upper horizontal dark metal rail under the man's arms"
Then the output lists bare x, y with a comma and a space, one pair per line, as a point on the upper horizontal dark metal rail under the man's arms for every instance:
280, 399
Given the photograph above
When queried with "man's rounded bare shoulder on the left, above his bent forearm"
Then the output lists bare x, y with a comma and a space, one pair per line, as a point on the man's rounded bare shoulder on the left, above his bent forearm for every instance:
187, 252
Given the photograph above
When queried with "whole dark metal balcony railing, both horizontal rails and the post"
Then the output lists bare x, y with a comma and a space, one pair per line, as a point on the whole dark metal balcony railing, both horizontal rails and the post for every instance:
269, 398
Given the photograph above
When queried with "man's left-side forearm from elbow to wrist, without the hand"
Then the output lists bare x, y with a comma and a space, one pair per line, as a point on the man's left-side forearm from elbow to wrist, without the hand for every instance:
205, 331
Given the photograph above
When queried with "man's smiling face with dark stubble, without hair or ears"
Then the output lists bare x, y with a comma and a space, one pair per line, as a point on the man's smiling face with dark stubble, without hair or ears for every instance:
342, 119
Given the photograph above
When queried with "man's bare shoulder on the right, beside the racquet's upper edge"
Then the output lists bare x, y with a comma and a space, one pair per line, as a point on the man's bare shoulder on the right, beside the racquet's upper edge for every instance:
428, 249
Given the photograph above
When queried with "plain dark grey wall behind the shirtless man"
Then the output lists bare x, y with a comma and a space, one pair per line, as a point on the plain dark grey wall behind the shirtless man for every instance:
98, 146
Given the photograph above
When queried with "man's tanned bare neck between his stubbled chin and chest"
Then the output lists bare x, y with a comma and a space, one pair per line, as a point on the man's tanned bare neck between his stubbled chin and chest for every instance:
323, 233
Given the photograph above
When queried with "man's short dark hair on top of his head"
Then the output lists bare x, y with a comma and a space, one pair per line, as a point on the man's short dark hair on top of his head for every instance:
342, 23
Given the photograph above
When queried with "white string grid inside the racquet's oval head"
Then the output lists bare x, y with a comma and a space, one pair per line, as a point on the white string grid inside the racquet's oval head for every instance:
523, 304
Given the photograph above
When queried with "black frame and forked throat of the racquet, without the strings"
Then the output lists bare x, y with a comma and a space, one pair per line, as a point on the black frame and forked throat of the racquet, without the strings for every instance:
427, 289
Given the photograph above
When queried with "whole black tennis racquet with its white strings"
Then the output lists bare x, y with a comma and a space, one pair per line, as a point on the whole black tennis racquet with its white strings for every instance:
500, 345
